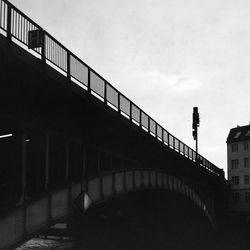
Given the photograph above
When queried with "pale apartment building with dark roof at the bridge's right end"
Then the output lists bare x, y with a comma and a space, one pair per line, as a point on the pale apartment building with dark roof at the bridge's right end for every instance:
238, 155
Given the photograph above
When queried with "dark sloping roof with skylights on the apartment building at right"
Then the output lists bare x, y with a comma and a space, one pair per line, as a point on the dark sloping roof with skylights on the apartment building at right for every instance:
240, 133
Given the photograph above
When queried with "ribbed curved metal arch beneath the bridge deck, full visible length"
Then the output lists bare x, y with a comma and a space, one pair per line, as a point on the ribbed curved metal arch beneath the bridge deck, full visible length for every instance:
23, 222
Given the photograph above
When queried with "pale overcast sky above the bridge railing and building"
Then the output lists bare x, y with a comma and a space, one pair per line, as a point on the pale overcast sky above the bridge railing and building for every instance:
166, 55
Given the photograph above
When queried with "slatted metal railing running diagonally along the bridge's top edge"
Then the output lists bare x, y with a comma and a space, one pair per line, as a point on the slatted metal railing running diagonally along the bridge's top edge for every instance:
17, 26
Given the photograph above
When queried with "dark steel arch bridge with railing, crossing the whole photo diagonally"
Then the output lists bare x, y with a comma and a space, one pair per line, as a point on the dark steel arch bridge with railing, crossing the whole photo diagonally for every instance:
68, 138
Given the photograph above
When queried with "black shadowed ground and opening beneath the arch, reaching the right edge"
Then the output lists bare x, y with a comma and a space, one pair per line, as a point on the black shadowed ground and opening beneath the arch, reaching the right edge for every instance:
149, 220
